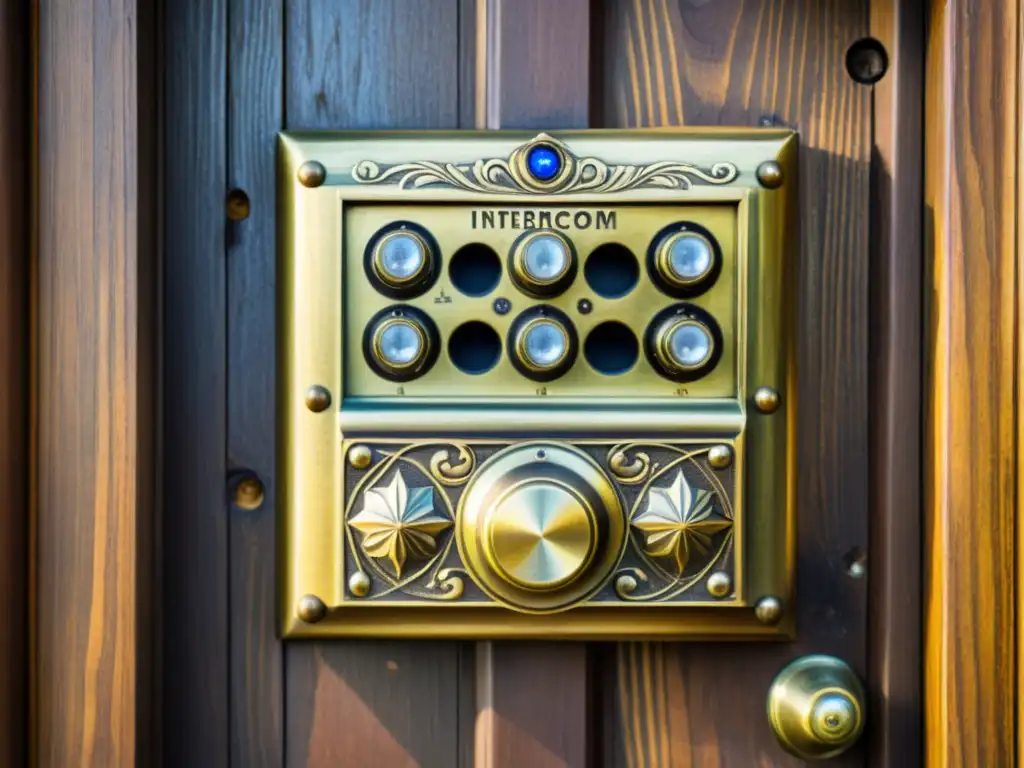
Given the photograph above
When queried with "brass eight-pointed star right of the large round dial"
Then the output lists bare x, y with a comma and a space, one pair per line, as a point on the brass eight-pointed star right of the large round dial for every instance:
679, 523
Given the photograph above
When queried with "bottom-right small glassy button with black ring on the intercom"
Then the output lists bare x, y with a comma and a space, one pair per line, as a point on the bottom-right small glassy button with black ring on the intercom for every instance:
685, 344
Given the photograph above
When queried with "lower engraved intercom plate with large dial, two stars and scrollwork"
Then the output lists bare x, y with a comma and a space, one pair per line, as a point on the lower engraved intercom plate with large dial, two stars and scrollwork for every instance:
542, 527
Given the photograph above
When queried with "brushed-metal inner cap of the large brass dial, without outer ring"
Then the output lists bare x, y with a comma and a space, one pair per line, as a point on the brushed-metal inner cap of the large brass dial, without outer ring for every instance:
542, 535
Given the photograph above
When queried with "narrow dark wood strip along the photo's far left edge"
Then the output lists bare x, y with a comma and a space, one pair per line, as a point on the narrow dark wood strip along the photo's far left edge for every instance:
16, 154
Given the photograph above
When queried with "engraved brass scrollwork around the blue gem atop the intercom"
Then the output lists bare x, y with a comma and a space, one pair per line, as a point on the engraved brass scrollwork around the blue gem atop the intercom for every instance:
511, 176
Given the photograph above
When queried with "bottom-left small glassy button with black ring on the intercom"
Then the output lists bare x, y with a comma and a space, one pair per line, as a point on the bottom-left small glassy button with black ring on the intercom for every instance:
401, 344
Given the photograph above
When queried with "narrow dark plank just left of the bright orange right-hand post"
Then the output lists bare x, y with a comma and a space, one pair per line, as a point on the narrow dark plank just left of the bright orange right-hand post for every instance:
894, 673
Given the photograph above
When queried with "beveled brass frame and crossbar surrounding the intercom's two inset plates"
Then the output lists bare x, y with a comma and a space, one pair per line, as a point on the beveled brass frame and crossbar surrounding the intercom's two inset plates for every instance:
322, 173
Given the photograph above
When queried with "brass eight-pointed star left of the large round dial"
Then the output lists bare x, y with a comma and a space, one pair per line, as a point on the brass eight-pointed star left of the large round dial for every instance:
399, 523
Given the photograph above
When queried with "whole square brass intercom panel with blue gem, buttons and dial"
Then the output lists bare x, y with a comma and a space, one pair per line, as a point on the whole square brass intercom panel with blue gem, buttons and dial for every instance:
537, 386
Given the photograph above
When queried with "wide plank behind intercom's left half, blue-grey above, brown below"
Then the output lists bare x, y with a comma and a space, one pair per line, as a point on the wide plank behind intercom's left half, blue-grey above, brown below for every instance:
372, 64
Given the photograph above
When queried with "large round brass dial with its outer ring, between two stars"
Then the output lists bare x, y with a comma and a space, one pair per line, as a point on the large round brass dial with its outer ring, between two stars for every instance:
540, 527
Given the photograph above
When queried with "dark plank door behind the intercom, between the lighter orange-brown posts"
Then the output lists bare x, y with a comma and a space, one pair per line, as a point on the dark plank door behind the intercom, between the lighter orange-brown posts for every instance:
238, 72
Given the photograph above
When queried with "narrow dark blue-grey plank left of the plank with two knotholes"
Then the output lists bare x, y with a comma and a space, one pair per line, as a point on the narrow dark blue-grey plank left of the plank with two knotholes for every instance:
196, 580
